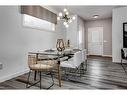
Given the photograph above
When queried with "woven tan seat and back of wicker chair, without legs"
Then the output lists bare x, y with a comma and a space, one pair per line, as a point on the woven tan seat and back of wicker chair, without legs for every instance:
43, 62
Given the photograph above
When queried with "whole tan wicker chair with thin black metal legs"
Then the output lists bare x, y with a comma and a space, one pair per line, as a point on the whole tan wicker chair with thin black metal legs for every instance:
40, 66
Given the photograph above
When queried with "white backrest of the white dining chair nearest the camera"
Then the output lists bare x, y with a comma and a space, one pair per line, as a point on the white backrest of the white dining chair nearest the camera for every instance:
77, 58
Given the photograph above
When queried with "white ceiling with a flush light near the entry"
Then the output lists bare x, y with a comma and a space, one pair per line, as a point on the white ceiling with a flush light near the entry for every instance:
87, 12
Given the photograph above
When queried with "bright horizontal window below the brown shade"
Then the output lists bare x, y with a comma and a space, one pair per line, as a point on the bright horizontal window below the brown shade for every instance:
37, 23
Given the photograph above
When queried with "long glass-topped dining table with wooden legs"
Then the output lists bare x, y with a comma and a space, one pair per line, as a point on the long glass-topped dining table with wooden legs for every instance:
55, 55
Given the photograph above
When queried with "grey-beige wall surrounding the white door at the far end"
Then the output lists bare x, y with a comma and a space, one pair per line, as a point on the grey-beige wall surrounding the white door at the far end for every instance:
107, 33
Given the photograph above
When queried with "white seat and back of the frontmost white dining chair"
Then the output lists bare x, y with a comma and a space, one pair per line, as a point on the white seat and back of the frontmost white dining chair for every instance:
73, 63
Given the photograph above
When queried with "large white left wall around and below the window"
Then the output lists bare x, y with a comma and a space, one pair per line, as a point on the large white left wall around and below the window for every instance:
16, 41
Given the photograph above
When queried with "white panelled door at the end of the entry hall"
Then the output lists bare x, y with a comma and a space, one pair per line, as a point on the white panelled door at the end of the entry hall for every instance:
95, 41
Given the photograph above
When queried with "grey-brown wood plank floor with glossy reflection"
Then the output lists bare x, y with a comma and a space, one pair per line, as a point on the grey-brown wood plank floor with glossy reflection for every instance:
101, 74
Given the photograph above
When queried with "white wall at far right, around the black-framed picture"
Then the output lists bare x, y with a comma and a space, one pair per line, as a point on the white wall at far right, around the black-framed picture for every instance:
119, 16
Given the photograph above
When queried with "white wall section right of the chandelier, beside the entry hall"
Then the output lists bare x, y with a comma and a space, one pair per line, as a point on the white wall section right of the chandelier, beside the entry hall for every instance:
72, 33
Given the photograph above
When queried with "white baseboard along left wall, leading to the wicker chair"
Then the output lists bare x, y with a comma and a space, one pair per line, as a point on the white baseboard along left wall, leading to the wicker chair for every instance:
13, 75
